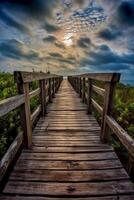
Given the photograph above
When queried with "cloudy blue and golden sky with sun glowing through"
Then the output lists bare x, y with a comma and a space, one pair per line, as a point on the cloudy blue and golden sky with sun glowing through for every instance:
67, 36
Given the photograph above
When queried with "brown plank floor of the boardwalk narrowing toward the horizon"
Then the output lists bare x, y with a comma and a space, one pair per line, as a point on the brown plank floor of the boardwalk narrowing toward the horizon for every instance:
67, 159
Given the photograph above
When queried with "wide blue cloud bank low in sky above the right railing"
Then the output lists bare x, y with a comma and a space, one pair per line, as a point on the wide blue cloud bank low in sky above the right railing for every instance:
104, 56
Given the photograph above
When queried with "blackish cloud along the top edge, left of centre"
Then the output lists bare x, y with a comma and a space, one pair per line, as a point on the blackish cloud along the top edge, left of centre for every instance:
34, 8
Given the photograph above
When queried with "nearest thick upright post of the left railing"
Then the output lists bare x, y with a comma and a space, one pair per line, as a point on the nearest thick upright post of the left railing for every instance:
25, 114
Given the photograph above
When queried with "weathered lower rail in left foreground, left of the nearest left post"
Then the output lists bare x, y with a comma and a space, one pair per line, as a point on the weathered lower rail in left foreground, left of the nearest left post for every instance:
10, 154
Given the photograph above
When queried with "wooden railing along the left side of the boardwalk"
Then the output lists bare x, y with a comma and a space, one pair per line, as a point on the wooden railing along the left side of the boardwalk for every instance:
48, 86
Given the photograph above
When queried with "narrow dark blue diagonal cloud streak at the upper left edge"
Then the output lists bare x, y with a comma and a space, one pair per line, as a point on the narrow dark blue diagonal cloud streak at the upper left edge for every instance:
10, 21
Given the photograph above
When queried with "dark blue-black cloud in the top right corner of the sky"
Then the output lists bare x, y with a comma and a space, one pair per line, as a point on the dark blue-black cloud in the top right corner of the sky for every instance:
126, 12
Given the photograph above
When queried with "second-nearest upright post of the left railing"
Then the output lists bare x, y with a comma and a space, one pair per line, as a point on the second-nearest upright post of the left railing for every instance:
43, 96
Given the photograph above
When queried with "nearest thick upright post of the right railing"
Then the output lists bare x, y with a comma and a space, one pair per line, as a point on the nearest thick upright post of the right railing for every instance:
107, 108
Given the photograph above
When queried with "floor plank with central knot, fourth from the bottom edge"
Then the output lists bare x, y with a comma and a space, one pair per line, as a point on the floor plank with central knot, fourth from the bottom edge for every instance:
68, 164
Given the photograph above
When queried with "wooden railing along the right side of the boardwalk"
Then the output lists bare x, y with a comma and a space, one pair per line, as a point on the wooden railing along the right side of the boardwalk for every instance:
84, 86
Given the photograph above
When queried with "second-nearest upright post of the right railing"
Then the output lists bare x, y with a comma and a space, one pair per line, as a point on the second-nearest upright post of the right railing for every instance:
89, 96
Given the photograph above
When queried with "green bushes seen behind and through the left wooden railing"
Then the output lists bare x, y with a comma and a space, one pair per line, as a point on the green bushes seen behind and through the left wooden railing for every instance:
10, 124
